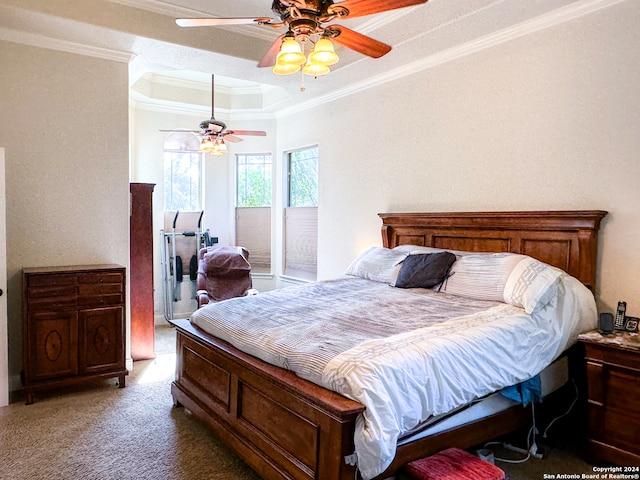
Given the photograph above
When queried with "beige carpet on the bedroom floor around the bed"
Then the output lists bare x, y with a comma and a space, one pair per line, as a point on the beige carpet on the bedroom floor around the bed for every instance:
102, 432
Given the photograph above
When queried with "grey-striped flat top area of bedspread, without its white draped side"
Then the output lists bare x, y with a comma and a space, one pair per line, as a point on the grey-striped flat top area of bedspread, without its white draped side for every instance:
301, 328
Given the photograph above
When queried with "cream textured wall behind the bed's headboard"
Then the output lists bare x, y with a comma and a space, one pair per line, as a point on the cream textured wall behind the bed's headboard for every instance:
546, 121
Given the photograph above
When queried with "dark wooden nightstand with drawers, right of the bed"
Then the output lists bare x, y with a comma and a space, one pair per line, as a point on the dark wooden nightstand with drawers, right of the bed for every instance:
613, 377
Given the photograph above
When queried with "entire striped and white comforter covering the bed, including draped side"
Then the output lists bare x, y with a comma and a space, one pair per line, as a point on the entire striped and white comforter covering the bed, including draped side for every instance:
349, 335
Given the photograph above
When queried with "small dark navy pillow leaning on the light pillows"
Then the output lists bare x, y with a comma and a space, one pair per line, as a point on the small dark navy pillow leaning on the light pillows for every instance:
424, 270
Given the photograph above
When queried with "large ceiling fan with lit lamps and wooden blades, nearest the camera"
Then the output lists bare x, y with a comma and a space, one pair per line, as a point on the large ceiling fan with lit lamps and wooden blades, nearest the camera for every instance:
304, 18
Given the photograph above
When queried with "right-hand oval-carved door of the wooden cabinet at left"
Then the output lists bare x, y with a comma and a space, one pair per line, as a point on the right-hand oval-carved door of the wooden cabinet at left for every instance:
101, 339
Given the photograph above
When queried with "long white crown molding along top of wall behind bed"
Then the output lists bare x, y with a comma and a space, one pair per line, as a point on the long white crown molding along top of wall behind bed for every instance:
542, 22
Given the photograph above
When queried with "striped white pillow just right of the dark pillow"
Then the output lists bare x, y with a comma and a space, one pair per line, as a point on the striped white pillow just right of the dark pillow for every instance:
481, 276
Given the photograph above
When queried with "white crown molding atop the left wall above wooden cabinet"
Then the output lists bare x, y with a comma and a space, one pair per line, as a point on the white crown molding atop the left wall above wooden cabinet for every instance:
41, 41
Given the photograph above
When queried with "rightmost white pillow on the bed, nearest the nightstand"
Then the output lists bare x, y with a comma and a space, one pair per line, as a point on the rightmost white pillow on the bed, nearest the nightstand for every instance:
531, 285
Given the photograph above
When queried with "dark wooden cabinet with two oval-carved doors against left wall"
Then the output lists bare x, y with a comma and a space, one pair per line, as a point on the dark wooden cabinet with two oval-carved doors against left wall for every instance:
73, 326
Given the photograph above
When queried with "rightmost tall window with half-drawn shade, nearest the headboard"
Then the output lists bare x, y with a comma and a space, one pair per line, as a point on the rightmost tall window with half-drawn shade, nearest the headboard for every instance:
301, 215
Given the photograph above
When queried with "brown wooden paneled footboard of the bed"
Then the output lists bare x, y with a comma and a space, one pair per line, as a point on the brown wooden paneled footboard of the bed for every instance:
280, 425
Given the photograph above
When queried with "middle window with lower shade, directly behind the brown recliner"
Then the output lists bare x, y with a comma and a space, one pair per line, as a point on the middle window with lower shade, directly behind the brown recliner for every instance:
253, 209
